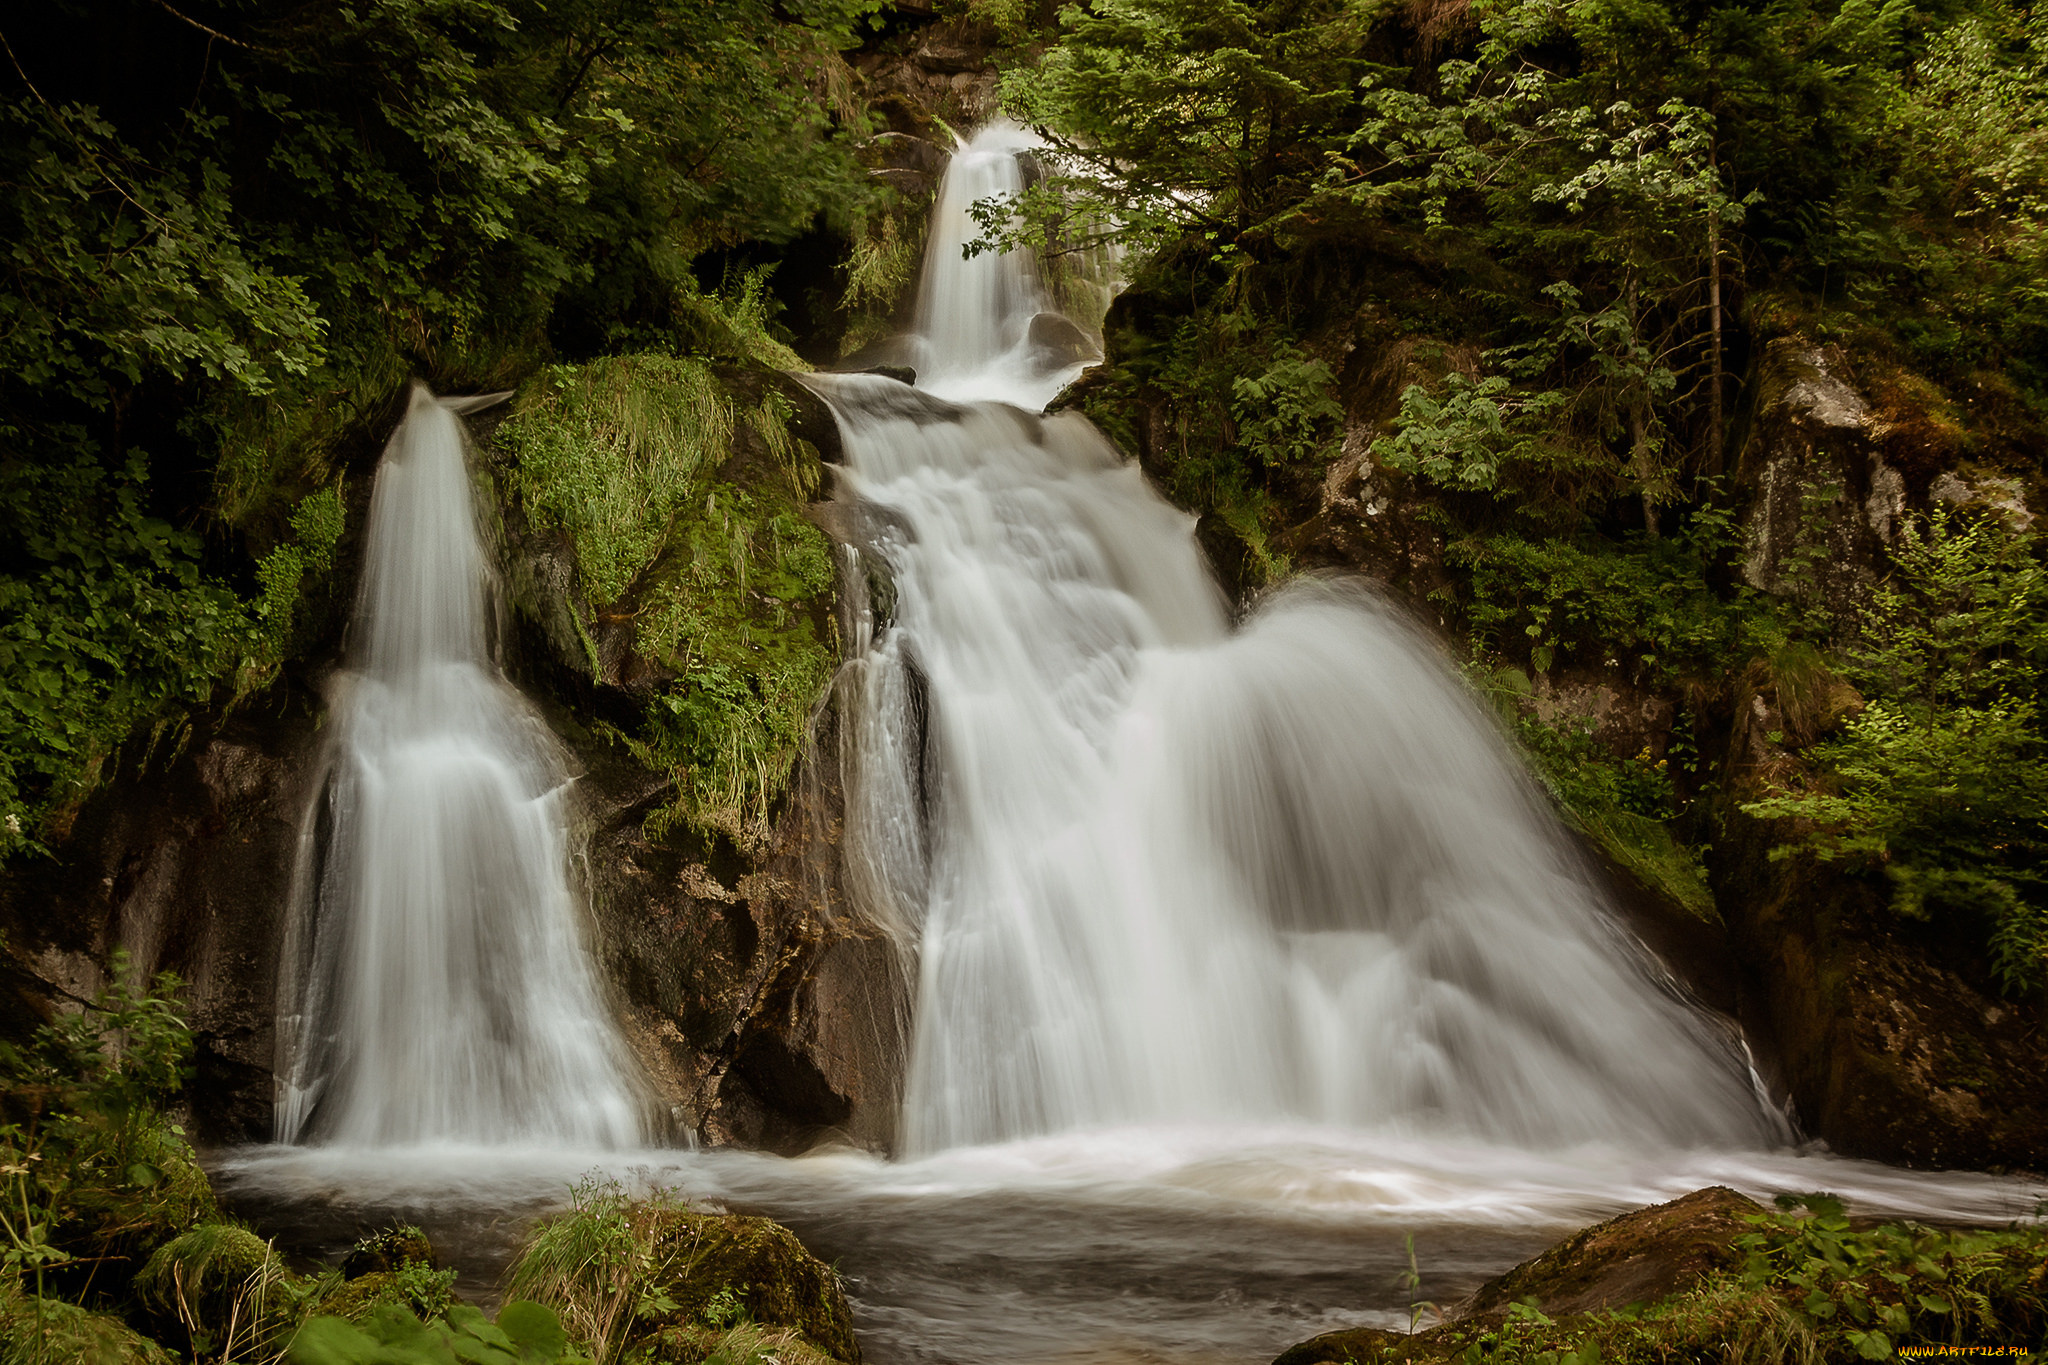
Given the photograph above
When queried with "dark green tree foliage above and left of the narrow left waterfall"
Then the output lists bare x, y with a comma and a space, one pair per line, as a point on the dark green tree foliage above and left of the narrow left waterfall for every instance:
234, 234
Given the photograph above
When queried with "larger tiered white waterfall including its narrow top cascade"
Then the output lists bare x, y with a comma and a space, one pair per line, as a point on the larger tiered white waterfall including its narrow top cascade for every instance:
1162, 869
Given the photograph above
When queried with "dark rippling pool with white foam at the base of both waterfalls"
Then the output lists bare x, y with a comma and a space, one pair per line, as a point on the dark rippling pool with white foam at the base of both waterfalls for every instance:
1170, 1243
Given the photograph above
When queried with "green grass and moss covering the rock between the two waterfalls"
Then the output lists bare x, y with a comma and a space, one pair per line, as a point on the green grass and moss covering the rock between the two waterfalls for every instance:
724, 580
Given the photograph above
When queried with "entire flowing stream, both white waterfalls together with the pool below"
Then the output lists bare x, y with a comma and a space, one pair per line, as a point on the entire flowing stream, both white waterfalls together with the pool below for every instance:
1244, 953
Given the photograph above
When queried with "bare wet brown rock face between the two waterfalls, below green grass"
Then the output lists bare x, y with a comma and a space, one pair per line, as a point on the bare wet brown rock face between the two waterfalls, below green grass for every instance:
765, 1012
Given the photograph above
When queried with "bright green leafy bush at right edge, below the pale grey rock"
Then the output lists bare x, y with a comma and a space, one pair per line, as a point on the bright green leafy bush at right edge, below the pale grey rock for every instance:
1943, 777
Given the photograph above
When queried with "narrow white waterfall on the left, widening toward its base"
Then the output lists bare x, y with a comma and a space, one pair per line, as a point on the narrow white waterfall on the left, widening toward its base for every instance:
437, 981
